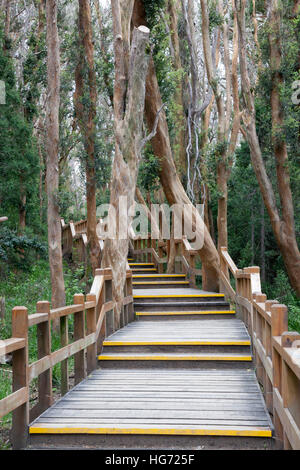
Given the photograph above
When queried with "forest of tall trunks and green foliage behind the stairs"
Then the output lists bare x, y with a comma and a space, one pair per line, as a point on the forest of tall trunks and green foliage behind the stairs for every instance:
227, 75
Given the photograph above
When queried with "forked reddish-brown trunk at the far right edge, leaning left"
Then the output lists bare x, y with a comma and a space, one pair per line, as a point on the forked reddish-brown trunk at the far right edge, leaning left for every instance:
282, 220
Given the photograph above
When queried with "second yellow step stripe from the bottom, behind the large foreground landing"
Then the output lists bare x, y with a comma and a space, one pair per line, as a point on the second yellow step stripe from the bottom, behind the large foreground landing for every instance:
174, 358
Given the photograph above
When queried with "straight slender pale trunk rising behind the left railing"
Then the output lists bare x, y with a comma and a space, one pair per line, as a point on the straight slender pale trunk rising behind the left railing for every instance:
52, 150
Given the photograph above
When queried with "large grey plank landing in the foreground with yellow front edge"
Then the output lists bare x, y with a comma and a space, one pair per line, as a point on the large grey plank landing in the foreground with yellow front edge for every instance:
198, 402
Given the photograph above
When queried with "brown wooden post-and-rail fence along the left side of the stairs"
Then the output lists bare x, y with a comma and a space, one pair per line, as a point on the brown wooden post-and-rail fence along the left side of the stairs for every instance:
93, 321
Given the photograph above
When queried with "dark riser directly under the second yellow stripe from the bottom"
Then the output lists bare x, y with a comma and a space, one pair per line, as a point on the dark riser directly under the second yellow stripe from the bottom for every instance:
142, 364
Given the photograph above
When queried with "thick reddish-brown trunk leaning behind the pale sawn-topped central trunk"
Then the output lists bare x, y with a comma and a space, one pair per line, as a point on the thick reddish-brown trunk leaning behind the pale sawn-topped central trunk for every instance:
170, 181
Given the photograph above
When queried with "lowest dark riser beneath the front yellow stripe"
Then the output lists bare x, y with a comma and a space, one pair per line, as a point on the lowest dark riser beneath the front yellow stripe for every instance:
121, 441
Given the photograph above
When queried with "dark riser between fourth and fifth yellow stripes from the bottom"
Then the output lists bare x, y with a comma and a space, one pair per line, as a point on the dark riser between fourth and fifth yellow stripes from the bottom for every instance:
146, 305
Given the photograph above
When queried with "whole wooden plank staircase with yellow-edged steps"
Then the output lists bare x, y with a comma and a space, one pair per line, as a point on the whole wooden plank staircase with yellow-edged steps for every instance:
180, 376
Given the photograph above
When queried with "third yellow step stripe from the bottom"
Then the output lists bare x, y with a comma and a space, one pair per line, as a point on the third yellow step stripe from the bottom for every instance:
177, 343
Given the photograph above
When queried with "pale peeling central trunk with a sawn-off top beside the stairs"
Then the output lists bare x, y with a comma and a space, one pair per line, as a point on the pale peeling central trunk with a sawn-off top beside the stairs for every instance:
131, 65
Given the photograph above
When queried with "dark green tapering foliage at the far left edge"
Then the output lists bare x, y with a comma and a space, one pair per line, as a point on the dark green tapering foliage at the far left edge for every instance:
19, 163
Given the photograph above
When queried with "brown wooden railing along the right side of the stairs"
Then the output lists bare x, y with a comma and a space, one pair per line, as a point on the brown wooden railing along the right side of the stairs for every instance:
275, 350
